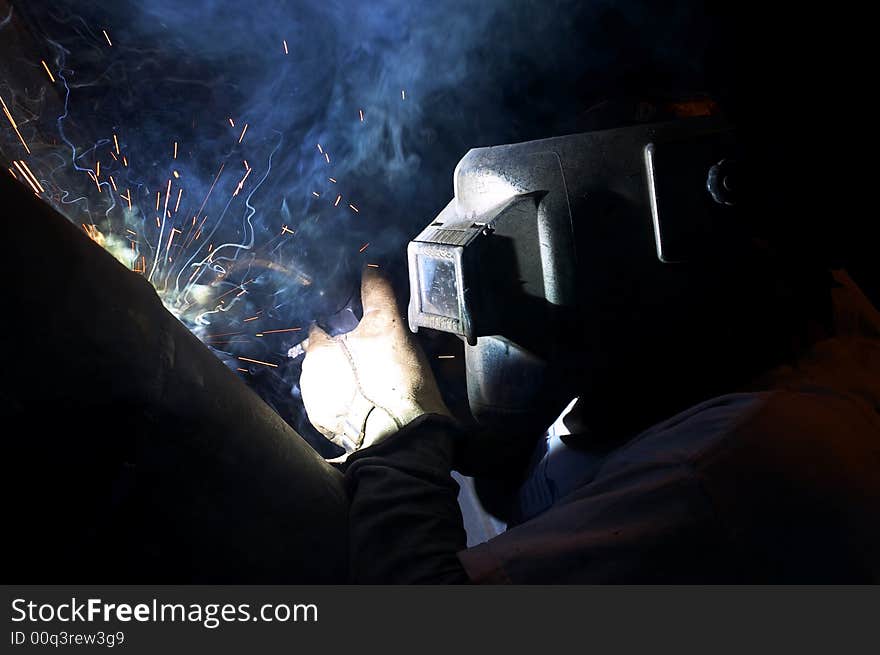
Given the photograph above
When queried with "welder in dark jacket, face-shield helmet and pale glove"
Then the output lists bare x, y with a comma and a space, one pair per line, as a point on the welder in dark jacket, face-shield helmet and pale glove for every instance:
727, 423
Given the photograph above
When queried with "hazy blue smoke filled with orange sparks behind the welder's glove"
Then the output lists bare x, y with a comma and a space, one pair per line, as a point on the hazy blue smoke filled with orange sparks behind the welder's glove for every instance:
372, 103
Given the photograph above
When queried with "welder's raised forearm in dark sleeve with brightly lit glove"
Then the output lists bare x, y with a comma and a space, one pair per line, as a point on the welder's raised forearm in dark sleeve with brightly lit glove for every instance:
372, 392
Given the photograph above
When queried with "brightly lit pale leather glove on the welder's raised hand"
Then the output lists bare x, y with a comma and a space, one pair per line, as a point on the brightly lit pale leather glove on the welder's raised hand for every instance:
363, 386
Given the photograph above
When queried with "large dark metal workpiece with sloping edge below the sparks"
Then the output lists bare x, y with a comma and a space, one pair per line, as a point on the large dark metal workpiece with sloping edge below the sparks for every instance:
171, 468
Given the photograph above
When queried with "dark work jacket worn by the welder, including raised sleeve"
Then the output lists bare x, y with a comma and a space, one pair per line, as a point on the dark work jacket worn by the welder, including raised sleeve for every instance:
776, 484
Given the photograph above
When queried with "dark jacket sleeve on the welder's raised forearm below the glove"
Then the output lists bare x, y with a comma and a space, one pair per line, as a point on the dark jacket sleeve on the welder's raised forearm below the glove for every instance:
405, 524
